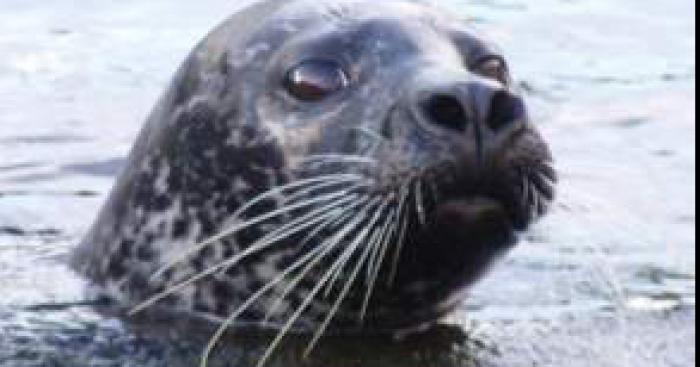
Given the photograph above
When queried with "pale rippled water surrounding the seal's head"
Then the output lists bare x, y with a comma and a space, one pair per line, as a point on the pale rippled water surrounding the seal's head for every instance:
607, 280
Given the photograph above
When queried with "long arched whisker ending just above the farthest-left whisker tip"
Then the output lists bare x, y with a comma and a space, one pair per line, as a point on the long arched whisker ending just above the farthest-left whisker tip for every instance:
251, 222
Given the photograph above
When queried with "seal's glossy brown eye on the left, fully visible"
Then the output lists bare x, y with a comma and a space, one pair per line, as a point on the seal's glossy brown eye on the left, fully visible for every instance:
315, 80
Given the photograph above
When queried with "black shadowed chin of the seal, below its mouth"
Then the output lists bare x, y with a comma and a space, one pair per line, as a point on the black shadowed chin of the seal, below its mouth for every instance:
460, 241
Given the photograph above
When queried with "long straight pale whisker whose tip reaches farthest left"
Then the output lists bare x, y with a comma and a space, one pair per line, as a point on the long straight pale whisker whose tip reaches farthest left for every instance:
267, 241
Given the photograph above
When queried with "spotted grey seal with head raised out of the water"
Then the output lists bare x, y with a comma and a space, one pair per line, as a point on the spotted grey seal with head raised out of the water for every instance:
315, 167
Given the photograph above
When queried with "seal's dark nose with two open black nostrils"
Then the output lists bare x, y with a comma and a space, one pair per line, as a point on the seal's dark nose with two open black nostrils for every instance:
480, 102
